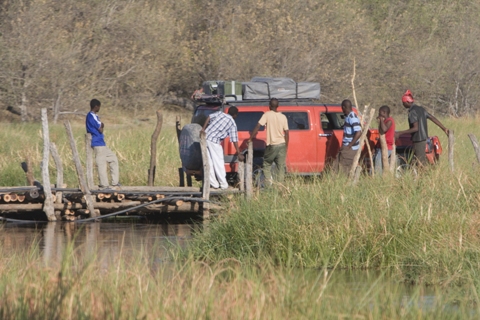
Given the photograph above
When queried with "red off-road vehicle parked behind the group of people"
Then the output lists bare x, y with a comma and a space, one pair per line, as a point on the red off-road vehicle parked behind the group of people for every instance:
315, 134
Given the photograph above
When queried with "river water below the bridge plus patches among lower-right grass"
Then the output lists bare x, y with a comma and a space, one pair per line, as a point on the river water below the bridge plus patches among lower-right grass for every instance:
109, 241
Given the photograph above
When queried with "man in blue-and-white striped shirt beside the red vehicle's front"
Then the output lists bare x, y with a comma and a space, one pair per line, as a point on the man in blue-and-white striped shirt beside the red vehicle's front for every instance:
351, 135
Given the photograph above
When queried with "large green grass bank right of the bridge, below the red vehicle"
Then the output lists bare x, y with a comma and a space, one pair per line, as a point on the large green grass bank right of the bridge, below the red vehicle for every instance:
424, 228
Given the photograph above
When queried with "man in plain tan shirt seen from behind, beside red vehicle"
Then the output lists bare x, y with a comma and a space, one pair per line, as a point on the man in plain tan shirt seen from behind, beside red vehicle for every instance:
277, 141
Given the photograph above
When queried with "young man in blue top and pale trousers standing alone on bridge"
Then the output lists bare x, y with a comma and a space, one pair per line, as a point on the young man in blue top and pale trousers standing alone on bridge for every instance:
103, 154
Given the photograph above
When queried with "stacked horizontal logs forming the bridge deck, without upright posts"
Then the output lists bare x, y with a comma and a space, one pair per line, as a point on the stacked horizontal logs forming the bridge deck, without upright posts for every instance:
73, 206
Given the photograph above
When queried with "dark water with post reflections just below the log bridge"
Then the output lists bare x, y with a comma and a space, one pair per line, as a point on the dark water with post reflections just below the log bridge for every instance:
107, 240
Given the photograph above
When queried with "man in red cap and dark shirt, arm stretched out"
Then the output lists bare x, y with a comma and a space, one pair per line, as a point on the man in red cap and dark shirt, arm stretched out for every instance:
417, 121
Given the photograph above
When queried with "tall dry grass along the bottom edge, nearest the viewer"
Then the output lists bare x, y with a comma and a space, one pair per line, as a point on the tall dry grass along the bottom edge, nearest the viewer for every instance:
137, 288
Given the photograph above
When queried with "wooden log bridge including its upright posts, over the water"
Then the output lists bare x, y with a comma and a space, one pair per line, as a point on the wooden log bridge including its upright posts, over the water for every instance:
88, 203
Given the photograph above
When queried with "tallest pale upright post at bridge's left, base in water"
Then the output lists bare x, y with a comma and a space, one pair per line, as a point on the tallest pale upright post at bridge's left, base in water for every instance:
48, 204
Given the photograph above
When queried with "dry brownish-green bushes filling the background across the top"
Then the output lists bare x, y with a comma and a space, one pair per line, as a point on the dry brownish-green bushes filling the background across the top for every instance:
132, 53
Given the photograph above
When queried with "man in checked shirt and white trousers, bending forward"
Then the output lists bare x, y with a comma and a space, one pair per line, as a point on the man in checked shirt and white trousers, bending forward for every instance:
220, 125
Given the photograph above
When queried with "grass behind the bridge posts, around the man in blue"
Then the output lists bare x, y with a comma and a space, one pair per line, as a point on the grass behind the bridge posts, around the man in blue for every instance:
128, 138
